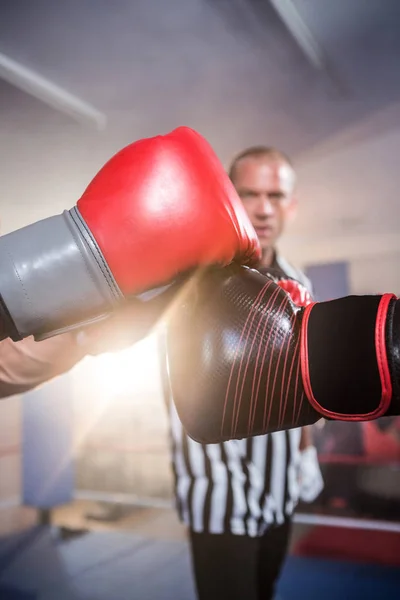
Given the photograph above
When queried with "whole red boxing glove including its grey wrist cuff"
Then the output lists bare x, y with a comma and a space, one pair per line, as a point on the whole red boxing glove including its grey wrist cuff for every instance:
158, 209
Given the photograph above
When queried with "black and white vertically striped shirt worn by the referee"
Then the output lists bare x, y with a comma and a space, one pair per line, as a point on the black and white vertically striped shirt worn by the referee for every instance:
240, 486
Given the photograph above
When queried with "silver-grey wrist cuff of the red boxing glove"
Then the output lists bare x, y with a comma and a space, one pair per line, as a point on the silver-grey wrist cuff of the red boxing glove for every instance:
53, 276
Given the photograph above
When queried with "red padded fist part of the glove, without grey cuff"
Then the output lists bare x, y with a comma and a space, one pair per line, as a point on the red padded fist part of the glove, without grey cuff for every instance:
163, 206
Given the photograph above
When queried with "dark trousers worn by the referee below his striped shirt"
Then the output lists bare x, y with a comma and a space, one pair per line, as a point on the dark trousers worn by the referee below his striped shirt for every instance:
238, 567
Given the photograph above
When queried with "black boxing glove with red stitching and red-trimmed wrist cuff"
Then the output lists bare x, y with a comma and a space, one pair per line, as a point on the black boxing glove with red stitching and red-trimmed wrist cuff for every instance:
245, 360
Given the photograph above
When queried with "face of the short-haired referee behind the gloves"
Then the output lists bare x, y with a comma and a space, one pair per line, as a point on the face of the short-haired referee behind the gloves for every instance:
266, 186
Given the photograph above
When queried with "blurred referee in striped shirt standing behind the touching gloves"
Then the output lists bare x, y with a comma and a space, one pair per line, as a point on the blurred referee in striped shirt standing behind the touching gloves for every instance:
237, 498
